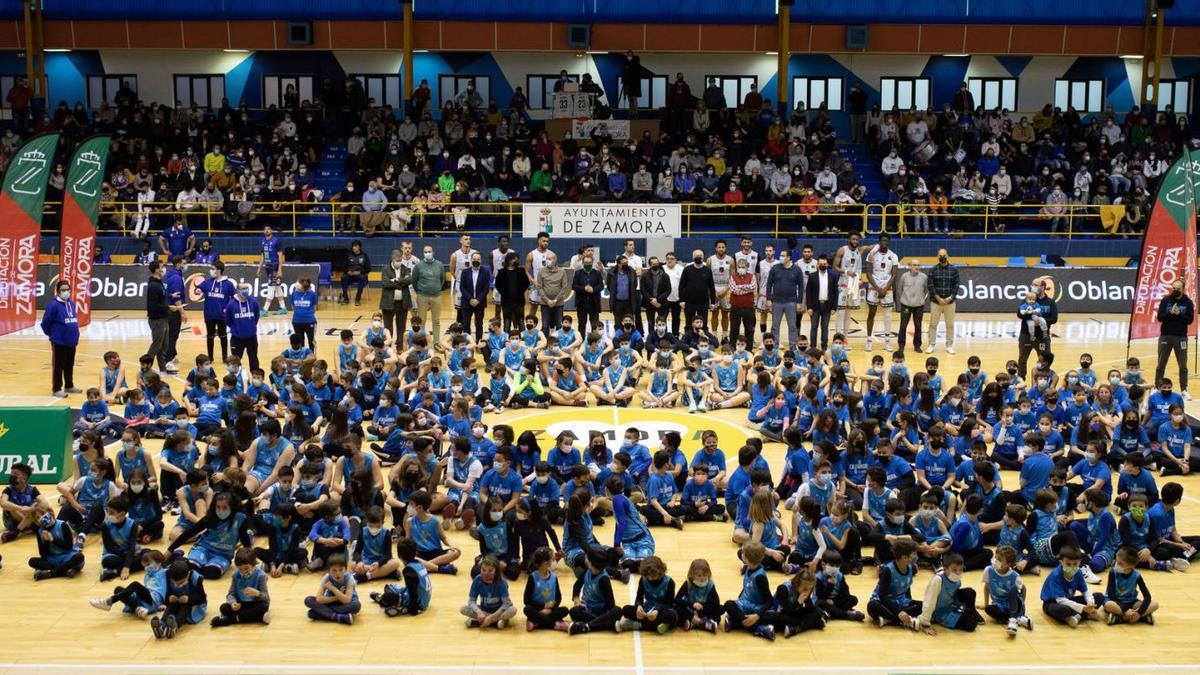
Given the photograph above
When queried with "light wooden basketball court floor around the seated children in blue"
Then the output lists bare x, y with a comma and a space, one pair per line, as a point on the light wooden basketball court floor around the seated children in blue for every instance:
50, 628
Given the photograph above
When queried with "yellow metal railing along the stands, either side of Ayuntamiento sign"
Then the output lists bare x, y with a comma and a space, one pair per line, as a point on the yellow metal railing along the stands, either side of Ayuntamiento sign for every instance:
325, 219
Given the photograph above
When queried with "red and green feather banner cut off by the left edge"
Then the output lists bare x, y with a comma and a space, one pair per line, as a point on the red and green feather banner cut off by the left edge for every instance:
21, 230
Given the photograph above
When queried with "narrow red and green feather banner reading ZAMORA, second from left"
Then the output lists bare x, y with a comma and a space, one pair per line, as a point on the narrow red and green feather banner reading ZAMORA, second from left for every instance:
81, 208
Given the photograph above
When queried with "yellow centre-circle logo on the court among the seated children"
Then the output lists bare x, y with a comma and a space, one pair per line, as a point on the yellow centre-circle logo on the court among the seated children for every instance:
613, 425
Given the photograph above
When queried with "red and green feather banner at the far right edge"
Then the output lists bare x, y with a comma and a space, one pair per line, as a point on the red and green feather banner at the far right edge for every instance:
1169, 249
